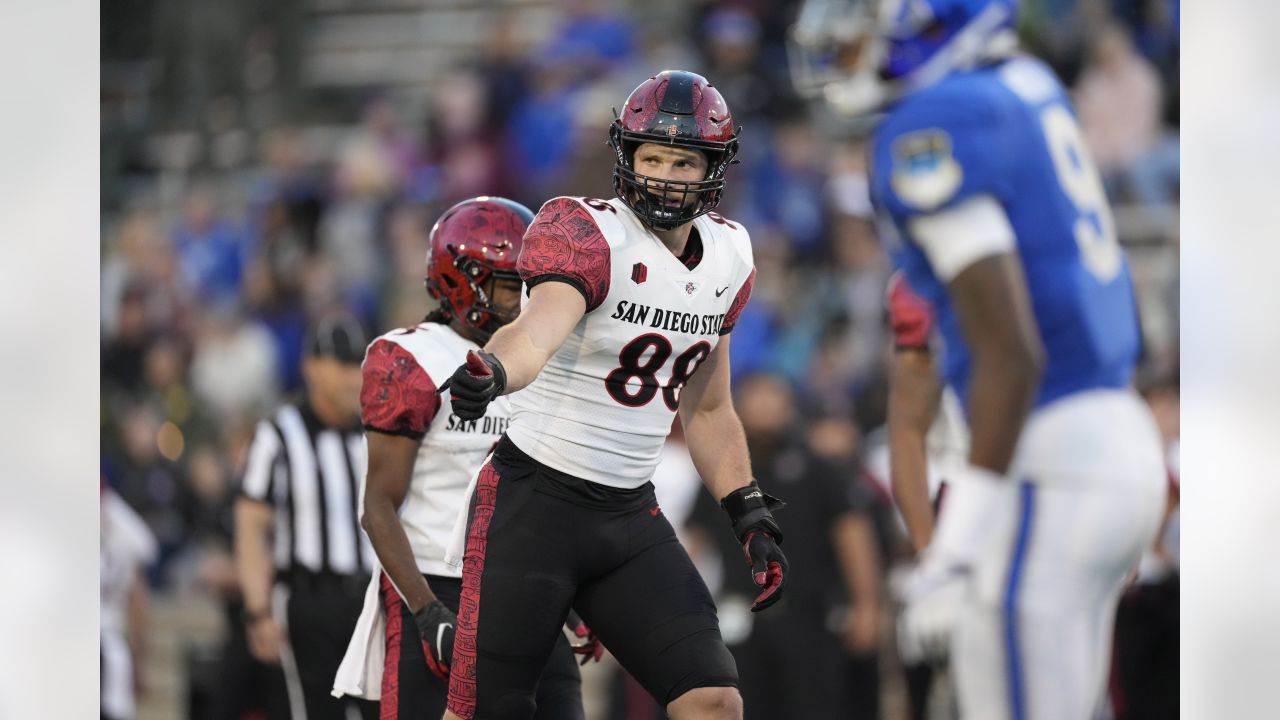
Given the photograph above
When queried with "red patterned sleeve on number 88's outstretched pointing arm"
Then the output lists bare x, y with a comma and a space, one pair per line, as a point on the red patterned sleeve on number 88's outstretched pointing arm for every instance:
565, 244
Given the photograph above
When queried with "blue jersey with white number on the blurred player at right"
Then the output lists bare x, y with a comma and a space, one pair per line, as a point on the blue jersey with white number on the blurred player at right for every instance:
1008, 131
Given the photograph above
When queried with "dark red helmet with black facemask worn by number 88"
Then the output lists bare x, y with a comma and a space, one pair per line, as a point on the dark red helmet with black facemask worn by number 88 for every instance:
682, 110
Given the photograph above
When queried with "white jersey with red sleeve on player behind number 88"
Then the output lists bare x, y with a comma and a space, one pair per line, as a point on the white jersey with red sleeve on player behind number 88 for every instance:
403, 371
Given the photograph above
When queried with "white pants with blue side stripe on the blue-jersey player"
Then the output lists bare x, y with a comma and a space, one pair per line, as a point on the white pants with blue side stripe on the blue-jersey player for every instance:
1034, 640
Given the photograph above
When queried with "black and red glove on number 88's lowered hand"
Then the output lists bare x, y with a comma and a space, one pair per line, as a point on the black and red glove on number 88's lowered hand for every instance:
751, 512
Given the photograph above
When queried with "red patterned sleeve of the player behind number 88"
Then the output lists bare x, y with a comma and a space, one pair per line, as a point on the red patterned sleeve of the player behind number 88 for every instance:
397, 397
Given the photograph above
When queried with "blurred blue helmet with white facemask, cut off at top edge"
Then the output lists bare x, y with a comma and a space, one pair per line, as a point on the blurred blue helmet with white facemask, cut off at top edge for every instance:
861, 54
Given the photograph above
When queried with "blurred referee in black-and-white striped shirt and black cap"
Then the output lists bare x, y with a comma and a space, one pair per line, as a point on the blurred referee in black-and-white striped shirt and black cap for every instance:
303, 559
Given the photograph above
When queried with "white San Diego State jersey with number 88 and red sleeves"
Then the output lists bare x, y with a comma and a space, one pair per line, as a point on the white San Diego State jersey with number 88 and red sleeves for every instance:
604, 405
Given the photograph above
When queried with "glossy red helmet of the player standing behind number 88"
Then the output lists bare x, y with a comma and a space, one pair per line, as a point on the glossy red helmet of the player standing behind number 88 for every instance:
474, 243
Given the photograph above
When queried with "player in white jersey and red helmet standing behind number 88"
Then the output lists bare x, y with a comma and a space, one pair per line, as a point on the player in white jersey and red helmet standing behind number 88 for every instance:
422, 458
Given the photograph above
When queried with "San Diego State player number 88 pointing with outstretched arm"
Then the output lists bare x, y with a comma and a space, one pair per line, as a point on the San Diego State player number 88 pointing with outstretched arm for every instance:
627, 322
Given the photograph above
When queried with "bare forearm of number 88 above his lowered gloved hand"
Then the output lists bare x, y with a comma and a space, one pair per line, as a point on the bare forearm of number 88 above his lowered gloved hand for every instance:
717, 446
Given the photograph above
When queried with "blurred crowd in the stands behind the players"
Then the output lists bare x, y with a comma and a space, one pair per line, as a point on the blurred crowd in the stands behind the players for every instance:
243, 200
